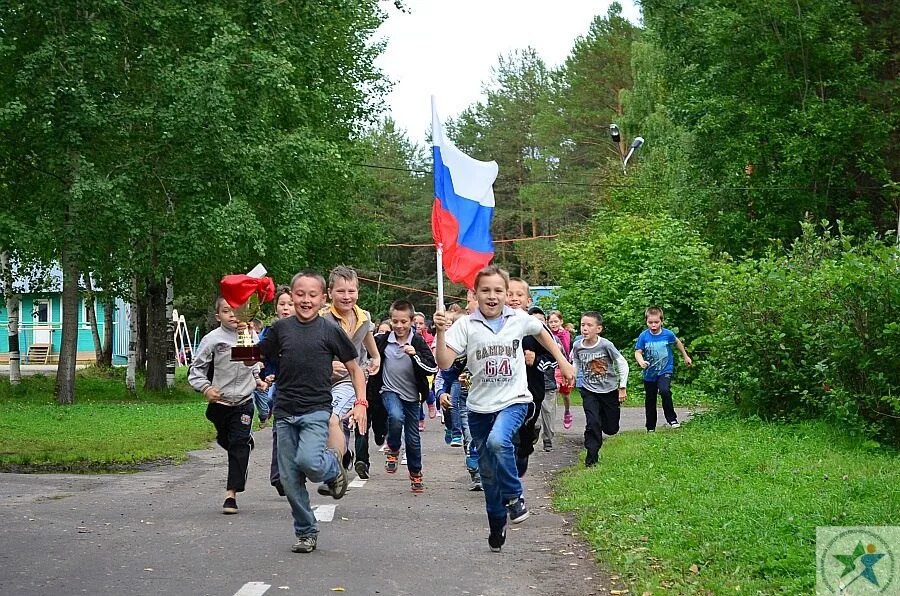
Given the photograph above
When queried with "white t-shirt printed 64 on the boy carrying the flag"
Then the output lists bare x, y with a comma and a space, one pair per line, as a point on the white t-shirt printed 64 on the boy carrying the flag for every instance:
496, 361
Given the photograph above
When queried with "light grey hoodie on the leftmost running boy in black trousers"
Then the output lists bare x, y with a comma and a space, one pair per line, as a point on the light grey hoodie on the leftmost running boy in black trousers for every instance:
234, 380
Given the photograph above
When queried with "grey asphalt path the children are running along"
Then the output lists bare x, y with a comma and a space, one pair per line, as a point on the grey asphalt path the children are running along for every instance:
161, 532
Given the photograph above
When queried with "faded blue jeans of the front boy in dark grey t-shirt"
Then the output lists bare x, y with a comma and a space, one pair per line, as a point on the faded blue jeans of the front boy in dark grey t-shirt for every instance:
302, 456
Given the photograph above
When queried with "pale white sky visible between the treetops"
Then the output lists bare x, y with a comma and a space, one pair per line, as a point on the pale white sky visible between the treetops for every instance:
447, 48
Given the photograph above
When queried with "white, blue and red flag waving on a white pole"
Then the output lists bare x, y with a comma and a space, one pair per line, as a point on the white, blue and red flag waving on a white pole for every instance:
463, 207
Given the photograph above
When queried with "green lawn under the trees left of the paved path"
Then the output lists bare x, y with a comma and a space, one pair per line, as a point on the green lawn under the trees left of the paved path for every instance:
106, 429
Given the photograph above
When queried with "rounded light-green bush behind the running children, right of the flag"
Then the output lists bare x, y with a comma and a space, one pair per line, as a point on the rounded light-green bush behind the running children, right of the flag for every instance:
621, 264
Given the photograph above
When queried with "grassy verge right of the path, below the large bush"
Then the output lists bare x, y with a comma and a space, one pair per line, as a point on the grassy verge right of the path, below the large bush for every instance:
727, 505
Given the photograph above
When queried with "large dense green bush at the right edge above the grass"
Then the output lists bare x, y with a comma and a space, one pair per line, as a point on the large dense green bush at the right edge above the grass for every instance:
811, 331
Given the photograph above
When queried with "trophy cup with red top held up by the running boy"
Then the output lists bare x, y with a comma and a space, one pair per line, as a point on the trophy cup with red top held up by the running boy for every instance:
245, 294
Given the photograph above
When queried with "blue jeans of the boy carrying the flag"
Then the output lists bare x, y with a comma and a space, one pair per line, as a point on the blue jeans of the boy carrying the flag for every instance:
492, 437
